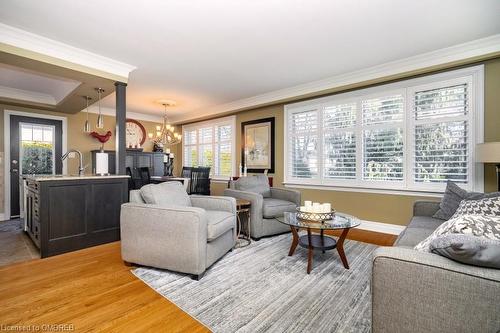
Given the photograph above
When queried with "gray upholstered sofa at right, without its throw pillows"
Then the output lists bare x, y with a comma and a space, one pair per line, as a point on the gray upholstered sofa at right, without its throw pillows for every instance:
423, 292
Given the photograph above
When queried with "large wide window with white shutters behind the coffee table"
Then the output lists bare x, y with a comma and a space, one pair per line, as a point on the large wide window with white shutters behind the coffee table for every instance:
411, 135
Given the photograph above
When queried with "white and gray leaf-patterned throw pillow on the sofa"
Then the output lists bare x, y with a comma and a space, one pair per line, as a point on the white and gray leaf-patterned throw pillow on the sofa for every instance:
477, 225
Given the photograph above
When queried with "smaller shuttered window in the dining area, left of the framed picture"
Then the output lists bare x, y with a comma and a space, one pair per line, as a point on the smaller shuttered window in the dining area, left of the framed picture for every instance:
212, 144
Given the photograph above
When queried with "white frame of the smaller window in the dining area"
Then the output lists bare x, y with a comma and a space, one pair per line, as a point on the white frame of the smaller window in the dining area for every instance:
231, 121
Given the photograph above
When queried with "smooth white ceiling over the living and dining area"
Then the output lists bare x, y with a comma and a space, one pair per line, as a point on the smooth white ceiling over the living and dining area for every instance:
205, 54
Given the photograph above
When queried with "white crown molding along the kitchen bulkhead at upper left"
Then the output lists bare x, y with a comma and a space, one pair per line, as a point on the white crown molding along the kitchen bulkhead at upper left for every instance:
25, 40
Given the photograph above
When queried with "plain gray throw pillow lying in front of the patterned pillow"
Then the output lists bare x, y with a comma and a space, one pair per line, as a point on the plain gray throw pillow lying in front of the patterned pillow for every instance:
467, 249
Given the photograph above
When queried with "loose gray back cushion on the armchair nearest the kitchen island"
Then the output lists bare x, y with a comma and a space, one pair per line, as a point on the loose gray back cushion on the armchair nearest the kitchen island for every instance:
166, 194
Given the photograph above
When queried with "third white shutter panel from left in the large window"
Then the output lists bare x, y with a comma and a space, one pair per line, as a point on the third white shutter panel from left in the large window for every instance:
383, 138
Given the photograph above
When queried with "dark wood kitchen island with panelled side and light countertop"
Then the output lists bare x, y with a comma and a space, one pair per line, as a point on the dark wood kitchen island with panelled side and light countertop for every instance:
68, 213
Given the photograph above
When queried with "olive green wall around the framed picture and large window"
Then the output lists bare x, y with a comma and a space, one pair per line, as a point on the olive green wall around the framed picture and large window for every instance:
386, 208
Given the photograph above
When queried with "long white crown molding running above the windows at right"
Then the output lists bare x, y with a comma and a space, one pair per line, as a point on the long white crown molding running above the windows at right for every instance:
453, 54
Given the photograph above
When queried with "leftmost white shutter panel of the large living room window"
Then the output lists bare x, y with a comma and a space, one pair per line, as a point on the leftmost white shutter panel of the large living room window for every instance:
303, 142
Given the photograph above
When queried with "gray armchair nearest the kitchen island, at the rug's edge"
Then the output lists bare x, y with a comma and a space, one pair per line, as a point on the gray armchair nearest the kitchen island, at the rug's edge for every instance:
163, 227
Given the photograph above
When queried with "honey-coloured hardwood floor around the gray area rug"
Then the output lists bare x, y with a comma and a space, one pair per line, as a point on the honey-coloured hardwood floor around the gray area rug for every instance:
94, 291
